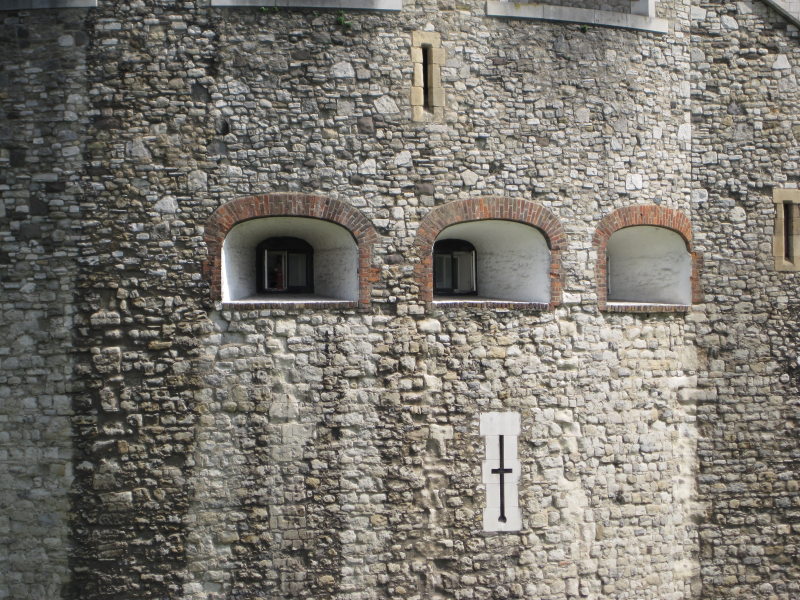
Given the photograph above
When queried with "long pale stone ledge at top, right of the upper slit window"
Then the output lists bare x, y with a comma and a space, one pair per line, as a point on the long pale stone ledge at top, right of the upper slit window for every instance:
568, 14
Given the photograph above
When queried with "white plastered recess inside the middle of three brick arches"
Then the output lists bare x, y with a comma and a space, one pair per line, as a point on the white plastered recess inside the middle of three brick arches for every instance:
512, 260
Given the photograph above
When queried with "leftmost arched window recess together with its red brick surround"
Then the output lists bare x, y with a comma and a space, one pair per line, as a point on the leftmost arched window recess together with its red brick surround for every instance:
340, 236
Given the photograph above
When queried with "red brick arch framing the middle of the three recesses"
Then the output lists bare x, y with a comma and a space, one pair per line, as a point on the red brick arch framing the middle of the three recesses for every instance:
481, 209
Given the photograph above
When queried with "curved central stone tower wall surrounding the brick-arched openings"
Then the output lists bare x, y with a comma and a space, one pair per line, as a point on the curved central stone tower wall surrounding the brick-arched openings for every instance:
336, 453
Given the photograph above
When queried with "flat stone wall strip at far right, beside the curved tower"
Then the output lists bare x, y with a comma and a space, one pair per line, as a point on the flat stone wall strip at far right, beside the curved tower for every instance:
745, 93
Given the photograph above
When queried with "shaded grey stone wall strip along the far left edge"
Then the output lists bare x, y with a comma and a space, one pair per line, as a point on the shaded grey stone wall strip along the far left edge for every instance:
42, 134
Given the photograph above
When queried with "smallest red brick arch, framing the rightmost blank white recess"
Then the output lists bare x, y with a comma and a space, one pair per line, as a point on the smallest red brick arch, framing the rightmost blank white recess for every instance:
632, 216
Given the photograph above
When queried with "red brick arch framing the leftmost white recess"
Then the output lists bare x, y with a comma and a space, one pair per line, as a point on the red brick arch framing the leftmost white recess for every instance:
290, 205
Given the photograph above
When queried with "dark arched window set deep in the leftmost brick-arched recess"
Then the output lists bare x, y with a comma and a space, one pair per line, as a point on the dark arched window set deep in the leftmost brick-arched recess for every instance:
285, 265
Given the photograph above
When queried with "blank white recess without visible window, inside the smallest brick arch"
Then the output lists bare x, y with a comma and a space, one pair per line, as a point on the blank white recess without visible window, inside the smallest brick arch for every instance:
648, 264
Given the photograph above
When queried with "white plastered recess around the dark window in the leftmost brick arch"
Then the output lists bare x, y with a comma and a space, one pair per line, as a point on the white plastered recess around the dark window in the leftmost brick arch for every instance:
335, 258
